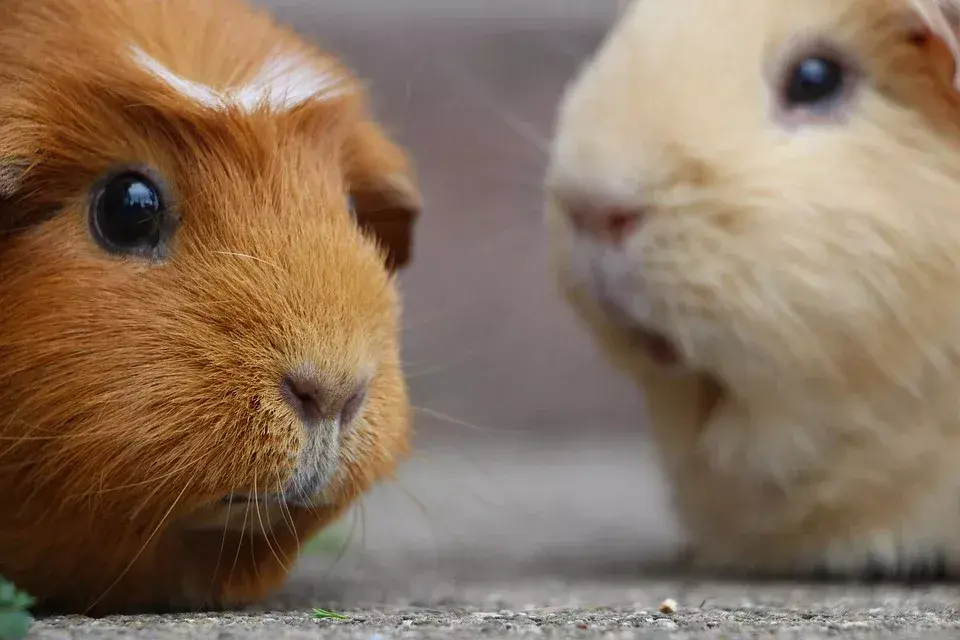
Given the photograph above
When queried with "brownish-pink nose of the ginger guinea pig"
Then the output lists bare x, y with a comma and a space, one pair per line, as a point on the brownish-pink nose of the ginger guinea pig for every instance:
317, 403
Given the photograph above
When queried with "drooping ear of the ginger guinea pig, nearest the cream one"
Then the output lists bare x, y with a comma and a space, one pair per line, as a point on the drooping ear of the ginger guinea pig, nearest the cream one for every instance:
385, 194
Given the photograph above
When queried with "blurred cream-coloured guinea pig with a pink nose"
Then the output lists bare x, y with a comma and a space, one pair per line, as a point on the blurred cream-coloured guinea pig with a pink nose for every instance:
752, 206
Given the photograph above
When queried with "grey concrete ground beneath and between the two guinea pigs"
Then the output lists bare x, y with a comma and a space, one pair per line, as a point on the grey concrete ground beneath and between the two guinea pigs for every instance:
508, 536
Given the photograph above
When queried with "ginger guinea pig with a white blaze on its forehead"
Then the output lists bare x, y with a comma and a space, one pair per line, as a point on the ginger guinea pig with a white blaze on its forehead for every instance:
201, 227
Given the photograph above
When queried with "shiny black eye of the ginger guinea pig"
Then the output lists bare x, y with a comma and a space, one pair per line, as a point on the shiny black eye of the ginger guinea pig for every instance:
128, 214
